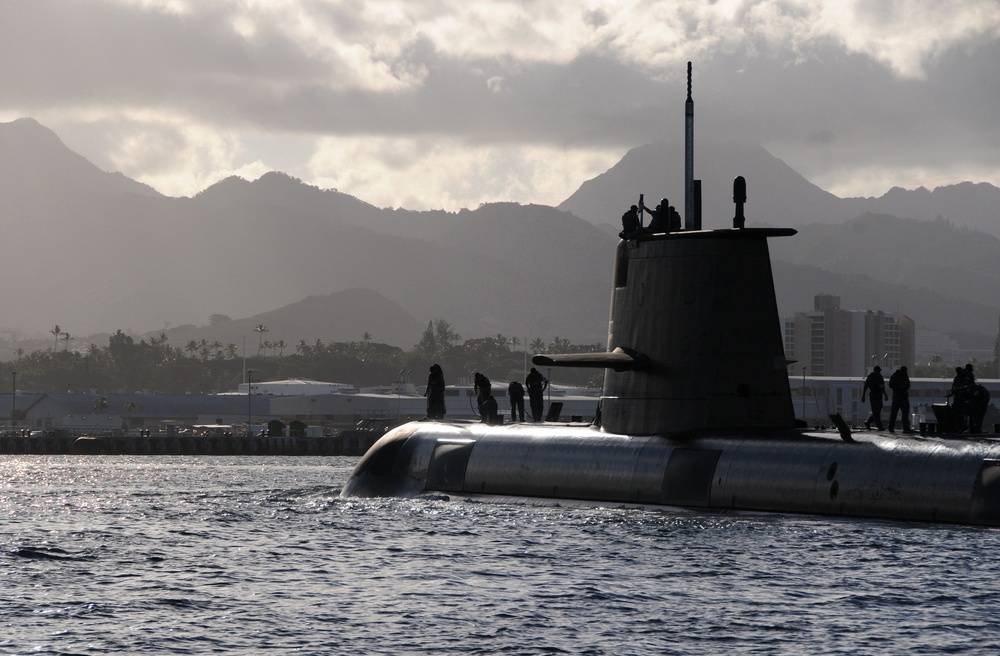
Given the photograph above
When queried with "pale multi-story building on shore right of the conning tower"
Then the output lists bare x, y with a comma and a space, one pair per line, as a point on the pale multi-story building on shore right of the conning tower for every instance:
830, 341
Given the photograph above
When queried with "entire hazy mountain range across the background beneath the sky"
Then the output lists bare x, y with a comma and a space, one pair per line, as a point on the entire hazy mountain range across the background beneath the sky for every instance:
95, 252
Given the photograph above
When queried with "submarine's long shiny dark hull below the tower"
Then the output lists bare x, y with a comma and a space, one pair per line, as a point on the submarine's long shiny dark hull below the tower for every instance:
793, 471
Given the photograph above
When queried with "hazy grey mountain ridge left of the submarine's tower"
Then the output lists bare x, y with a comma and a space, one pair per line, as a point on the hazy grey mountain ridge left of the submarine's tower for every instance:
85, 251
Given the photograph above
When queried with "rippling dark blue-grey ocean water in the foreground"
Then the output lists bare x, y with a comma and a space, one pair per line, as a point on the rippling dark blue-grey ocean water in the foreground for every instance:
246, 555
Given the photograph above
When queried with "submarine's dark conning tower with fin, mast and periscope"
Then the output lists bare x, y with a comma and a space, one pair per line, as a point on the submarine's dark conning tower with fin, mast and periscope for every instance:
694, 341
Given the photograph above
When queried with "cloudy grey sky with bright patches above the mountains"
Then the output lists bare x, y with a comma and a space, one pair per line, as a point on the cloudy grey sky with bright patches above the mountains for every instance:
428, 104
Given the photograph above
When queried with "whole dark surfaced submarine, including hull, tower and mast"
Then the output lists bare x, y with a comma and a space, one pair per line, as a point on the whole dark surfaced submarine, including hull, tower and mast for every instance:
696, 409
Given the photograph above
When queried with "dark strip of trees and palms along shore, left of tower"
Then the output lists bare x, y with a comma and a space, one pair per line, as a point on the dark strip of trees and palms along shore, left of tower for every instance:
126, 365
